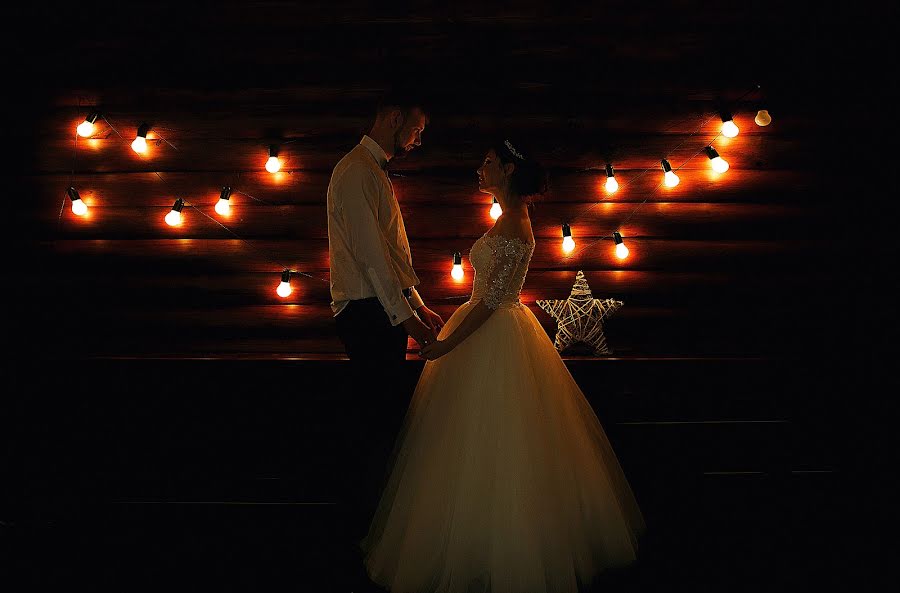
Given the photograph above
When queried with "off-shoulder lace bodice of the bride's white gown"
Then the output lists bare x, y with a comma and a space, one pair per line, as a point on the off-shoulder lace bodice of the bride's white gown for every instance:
500, 264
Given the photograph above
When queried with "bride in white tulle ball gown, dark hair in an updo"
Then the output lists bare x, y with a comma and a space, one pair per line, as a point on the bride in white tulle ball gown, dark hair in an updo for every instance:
502, 478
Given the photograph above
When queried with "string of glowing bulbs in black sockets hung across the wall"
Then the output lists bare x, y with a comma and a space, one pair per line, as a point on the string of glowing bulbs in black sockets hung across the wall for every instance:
274, 163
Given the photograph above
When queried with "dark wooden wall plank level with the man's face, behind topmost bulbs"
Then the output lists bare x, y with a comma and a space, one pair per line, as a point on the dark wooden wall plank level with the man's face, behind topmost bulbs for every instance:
329, 111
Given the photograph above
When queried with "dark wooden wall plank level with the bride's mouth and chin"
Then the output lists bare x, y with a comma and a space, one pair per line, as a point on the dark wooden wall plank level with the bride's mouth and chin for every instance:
451, 188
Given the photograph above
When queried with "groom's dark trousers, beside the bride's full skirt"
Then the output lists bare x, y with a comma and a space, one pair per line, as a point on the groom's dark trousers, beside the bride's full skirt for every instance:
375, 407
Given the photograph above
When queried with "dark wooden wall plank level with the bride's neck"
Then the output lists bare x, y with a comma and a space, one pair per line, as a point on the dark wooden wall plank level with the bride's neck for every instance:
447, 221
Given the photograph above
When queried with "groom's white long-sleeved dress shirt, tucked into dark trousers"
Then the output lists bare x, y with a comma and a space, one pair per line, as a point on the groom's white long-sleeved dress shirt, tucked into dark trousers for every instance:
368, 251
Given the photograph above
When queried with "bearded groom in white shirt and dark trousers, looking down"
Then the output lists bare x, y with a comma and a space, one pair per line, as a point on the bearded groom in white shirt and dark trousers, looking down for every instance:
375, 301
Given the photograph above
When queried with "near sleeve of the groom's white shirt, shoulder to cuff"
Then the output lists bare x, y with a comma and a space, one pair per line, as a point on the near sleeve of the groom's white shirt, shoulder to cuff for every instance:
358, 190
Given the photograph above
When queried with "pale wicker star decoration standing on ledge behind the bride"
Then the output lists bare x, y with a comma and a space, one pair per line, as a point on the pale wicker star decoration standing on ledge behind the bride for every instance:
580, 317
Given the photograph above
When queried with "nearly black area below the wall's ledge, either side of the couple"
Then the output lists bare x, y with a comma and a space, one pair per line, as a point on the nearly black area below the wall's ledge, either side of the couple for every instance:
123, 490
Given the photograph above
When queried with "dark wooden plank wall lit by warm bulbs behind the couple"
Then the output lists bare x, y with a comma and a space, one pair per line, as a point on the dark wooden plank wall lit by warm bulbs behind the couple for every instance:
720, 265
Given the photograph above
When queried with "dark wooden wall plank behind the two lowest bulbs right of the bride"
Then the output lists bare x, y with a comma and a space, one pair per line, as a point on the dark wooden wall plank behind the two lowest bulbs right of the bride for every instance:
312, 255
